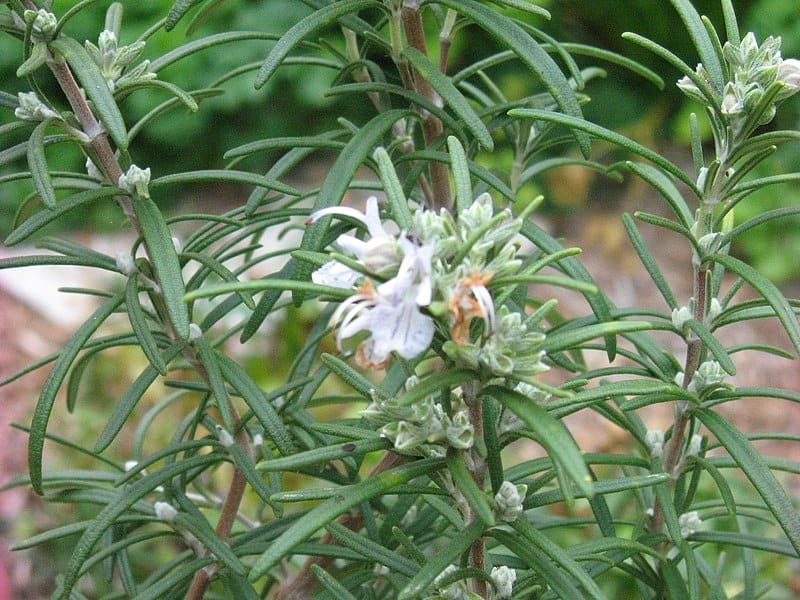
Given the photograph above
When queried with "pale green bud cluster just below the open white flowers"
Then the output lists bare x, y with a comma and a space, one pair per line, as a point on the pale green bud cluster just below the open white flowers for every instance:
425, 428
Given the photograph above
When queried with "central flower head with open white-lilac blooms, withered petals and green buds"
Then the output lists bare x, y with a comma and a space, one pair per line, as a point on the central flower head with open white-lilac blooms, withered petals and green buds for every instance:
437, 275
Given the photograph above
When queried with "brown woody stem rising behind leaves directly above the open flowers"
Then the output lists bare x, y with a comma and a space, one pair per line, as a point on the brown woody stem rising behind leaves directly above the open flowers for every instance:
431, 125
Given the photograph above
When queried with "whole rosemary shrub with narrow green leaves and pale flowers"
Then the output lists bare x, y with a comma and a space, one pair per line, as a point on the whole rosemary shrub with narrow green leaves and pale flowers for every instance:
383, 463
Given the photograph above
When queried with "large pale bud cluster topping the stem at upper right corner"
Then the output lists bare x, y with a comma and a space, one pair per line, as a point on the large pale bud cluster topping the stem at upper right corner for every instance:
754, 72
